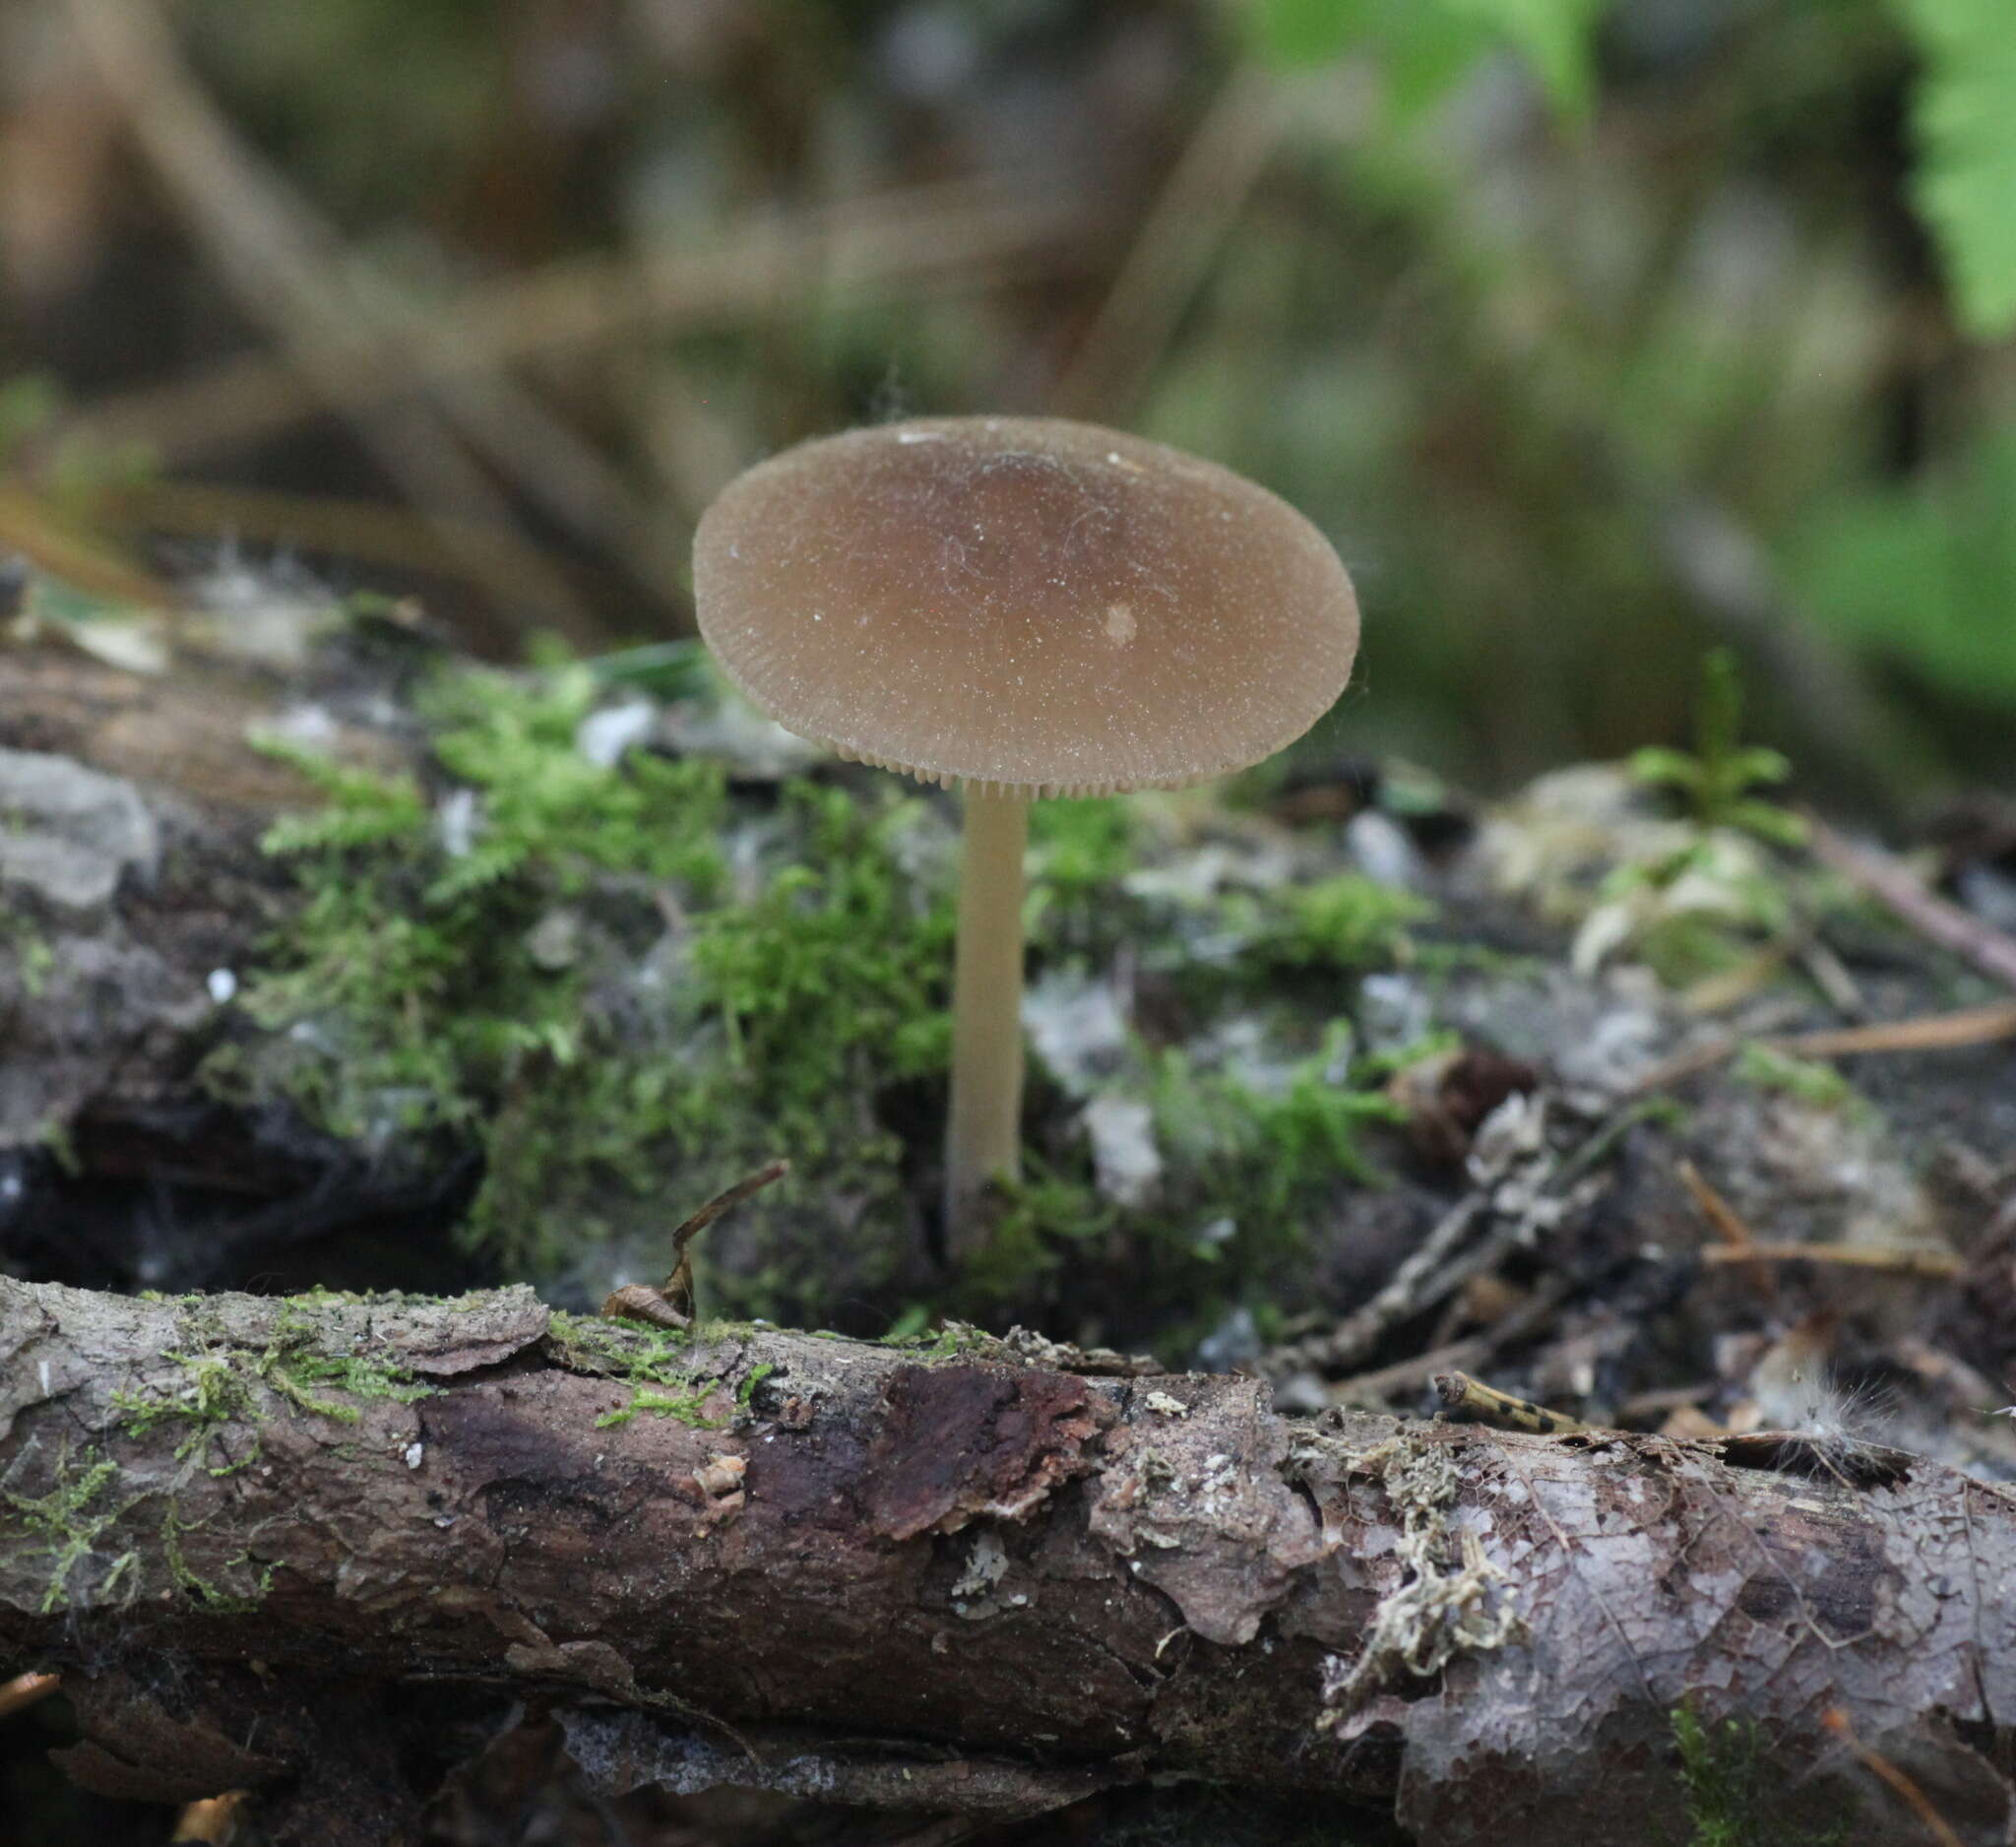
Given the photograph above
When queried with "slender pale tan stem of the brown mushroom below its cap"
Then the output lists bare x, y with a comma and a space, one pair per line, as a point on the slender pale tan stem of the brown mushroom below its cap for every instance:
985, 1132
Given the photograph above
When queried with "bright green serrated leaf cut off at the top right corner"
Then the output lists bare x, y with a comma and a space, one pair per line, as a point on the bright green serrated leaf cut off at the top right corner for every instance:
1965, 122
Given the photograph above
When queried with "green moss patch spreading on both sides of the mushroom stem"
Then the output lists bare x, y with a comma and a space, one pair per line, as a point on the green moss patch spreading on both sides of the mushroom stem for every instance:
610, 975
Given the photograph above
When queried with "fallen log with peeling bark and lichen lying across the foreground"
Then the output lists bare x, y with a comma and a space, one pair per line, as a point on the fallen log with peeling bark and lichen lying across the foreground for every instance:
953, 1582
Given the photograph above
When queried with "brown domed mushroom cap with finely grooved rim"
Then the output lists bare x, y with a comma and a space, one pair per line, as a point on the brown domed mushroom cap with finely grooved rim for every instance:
1023, 604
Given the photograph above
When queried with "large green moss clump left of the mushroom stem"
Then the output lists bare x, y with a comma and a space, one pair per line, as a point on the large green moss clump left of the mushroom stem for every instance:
602, 977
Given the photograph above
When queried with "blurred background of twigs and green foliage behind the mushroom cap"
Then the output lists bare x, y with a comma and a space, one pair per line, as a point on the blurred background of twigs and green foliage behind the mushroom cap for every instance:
1594, 332
